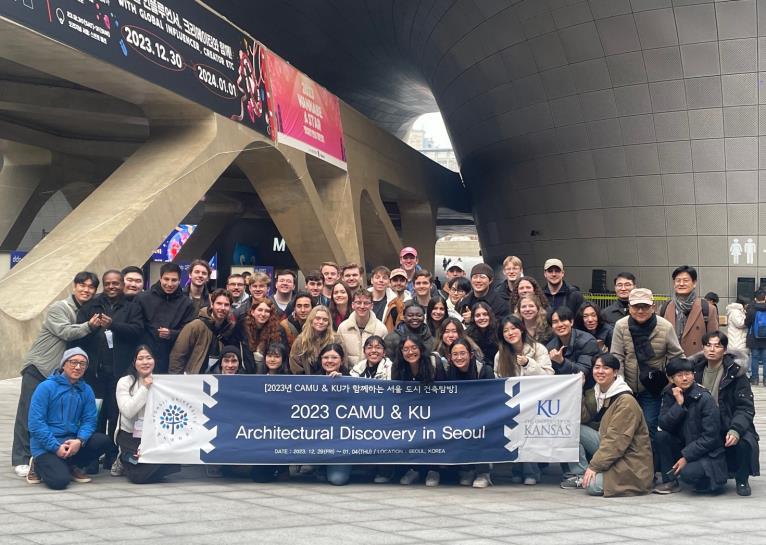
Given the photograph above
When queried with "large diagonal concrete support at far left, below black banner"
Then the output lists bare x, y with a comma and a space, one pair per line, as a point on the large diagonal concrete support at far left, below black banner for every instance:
121, 222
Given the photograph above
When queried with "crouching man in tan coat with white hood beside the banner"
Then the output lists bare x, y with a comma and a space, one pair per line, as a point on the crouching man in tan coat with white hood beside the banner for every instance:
622, 465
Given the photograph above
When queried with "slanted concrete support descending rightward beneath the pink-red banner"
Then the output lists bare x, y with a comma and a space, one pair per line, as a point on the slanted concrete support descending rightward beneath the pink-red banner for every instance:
284, 185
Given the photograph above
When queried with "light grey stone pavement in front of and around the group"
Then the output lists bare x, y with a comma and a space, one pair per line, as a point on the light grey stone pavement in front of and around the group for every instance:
191, 508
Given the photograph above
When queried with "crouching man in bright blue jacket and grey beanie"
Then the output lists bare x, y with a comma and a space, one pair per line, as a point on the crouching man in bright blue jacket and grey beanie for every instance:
62, 423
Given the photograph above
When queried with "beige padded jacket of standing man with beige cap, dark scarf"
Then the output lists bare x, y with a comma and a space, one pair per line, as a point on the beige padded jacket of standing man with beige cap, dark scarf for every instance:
664, 343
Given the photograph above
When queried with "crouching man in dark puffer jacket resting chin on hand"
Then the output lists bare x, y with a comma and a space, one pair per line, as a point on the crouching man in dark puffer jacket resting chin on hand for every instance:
690, 443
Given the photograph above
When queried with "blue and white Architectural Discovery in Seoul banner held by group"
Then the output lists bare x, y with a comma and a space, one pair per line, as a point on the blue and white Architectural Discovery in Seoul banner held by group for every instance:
258, 419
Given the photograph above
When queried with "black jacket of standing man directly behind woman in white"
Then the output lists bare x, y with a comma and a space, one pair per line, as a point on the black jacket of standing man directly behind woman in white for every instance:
159, 309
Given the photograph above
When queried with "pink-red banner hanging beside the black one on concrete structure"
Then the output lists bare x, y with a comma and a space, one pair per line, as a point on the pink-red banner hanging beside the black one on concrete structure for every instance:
307, 116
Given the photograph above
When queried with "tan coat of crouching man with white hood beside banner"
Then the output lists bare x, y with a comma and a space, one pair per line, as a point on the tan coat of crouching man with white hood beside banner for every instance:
624, 455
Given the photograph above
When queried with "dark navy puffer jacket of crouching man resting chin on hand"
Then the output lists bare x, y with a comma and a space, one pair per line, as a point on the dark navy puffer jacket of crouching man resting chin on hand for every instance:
698, 424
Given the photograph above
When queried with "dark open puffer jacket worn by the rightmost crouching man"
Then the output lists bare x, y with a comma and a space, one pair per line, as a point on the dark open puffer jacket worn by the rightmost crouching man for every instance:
735, 403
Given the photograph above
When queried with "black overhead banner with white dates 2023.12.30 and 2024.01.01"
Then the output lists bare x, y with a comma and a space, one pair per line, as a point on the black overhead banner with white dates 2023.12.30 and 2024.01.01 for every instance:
177, 44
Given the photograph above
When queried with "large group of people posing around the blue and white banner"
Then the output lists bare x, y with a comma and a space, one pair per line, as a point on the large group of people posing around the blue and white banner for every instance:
666, 394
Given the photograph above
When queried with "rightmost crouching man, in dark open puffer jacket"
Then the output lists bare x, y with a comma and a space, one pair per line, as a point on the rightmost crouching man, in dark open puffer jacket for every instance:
727, 381
